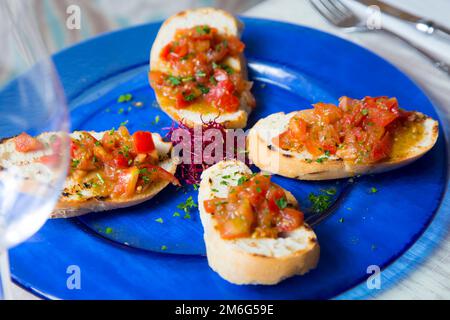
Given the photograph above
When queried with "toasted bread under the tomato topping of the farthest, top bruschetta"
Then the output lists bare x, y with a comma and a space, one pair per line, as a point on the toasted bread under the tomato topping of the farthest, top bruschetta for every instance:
226, 24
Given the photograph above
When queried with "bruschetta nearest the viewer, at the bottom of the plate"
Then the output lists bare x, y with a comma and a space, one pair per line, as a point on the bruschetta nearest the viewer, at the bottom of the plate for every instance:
253, 230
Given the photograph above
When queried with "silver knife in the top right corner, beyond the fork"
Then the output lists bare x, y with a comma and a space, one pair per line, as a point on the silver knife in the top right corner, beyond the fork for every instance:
421, 24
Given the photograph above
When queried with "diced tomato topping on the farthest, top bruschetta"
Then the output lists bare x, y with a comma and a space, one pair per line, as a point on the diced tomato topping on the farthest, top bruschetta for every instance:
198, 71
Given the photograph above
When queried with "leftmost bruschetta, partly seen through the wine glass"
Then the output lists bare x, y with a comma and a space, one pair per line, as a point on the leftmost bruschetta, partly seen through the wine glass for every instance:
108, 170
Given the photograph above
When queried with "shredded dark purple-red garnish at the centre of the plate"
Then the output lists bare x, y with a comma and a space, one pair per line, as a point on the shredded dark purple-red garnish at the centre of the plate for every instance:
190, 173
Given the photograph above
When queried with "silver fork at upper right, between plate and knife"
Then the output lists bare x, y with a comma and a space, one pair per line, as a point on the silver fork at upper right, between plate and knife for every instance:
339, 15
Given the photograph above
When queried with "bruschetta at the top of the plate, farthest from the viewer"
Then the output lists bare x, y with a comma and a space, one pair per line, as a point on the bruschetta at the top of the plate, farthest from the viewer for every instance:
198, 69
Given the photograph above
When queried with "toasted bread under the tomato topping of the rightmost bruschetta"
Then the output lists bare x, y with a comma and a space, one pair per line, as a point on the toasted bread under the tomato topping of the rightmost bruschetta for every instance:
303, 166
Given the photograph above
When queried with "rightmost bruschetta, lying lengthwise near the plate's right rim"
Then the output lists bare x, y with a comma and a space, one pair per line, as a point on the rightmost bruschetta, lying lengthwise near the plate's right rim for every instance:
356, 137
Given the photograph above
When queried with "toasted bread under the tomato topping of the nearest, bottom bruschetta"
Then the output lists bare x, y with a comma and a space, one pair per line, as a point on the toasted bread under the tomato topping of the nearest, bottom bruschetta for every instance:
253, 260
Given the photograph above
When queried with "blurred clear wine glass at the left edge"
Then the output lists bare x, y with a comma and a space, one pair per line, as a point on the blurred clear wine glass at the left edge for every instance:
31, 101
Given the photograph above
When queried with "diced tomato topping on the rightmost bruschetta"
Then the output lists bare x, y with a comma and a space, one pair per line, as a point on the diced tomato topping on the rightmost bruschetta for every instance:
356, 130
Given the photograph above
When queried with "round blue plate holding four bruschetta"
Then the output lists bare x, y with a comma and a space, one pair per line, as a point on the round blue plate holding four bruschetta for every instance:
128, 254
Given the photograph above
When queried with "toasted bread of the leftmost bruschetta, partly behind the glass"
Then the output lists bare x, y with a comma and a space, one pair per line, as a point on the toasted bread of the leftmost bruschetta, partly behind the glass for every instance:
70, 203
